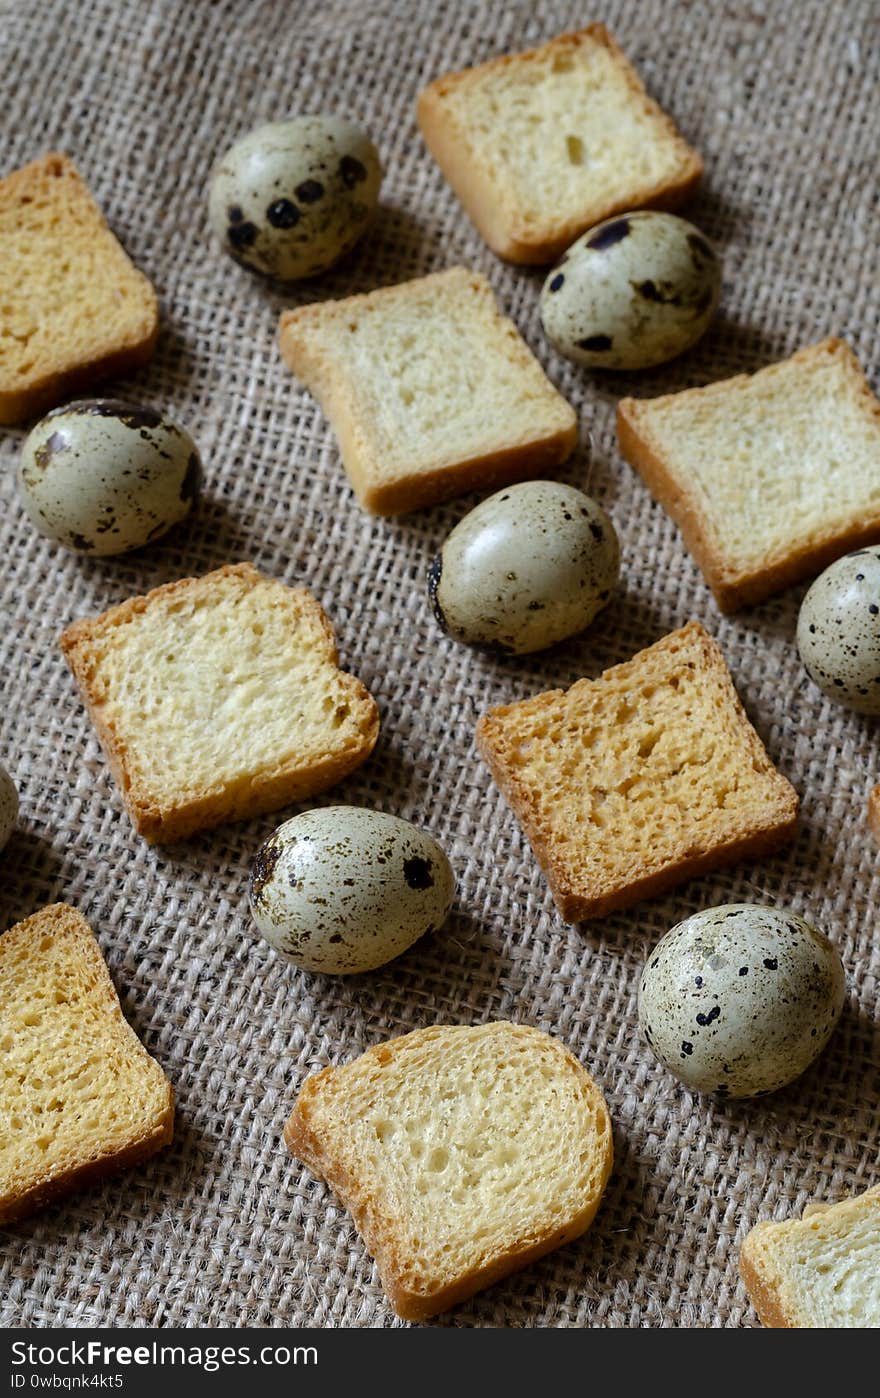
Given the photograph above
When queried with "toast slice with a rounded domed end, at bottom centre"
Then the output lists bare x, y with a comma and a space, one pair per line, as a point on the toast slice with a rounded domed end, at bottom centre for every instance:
462, 1154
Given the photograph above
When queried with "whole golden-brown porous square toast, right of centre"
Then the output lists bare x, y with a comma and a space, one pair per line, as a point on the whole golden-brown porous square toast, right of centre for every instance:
634, 782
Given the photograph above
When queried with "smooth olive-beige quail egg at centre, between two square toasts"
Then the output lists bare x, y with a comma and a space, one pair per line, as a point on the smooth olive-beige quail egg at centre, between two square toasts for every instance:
527, 568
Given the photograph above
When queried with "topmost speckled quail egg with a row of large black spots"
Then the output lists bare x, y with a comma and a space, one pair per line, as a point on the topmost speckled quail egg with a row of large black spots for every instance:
293, 198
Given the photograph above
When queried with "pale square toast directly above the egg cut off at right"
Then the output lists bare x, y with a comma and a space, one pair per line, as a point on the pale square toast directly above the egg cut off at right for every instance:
770, 476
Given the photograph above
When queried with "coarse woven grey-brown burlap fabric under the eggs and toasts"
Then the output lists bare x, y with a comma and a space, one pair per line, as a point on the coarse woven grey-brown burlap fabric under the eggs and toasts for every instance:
225, 1228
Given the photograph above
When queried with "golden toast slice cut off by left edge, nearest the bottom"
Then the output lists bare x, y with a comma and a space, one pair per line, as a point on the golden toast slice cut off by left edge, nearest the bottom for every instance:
82, 1097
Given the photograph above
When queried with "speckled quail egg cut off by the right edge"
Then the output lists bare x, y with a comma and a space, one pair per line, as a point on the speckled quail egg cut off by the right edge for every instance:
839, 631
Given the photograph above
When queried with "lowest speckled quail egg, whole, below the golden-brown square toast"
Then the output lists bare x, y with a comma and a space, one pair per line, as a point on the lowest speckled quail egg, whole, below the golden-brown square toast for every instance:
741, 999
